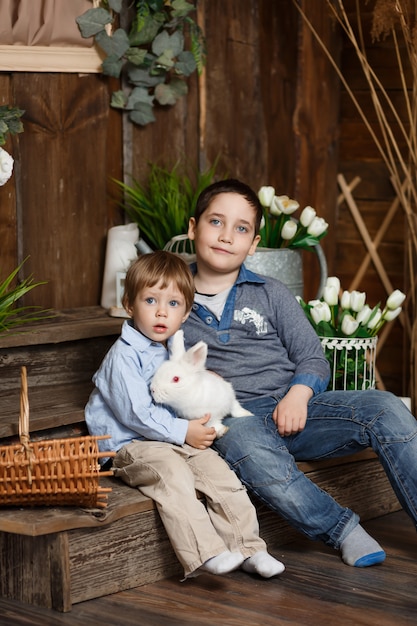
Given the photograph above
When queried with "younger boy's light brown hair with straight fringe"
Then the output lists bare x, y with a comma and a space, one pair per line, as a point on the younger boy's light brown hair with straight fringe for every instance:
159, 266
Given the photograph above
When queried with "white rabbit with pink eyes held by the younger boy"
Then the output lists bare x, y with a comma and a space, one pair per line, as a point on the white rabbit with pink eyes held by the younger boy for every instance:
184, 384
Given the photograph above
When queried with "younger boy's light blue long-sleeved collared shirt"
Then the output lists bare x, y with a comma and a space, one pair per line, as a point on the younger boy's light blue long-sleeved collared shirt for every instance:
121, 404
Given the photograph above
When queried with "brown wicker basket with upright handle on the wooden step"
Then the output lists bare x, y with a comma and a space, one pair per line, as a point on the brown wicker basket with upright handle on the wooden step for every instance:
51, 472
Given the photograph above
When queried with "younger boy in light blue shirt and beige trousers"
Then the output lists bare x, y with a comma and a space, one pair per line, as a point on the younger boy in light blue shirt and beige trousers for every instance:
167, 457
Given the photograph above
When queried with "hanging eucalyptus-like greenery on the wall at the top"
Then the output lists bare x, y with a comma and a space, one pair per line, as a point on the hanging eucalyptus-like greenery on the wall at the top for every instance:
150, 53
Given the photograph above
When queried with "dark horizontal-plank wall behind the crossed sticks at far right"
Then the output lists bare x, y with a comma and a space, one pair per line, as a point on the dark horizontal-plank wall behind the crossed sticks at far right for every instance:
358, 156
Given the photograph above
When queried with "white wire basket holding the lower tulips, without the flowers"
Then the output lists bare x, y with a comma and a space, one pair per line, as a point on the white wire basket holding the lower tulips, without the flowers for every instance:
352, 362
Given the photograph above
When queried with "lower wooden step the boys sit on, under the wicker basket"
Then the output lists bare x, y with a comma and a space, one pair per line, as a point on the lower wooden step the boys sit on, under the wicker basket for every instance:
67, 555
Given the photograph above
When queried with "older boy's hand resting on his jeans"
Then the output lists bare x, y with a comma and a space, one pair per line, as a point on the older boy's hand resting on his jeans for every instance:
290, 414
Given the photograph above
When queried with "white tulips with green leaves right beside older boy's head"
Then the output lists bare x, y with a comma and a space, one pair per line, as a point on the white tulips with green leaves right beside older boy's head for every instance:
279, 229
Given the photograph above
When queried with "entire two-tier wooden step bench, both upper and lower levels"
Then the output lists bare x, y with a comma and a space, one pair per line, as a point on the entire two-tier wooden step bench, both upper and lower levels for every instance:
56, 557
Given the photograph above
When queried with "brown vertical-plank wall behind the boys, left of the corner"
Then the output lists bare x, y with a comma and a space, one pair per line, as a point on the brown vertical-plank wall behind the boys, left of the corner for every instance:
60, 202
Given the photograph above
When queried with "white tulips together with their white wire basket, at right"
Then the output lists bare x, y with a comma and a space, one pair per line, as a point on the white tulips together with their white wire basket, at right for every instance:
348, 329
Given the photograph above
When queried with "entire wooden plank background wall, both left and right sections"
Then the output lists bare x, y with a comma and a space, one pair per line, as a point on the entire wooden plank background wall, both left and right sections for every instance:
267, 105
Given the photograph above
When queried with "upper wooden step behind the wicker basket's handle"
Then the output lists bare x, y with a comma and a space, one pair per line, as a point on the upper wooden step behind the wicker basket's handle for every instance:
61, 356
